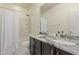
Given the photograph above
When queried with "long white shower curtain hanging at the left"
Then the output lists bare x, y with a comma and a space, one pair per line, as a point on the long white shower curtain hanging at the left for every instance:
10, 30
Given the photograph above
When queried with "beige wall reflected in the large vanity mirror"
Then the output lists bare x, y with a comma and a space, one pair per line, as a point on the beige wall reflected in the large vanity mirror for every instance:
60, 15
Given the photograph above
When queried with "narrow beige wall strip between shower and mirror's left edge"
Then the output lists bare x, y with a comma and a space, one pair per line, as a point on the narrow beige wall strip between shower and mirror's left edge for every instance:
35, 18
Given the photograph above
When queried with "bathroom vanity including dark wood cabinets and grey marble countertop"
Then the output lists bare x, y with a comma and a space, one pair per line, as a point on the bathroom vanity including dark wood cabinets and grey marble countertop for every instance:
42, 46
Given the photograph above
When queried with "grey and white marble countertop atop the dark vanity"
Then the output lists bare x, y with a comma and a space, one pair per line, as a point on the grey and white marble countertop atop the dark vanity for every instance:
73, 49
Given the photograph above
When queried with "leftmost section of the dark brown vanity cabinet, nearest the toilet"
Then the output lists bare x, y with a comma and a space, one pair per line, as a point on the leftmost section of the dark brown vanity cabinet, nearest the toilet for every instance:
35, 46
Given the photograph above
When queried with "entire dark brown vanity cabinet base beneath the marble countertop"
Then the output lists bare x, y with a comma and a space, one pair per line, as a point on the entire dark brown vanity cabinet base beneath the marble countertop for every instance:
38, 47
